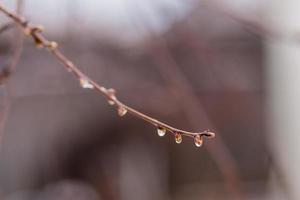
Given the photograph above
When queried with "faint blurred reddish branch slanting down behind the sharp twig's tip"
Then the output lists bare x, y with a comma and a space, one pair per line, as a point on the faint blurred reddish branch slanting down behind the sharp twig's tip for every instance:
195, 112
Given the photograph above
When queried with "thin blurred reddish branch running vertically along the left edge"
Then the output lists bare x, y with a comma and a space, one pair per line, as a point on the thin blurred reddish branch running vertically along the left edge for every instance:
8, 70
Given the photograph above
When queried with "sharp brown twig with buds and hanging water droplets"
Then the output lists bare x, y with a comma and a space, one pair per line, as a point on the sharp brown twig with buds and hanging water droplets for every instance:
41, 42
